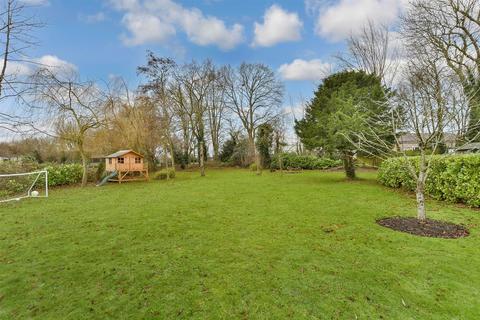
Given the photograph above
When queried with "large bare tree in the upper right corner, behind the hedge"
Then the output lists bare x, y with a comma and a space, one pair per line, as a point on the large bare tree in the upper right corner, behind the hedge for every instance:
451, 28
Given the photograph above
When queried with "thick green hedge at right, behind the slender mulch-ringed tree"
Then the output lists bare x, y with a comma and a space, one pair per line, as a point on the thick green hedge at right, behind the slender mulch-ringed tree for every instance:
451, 178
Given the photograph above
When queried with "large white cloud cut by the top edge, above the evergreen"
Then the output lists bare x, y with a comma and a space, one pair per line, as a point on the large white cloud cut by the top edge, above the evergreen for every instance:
337, 21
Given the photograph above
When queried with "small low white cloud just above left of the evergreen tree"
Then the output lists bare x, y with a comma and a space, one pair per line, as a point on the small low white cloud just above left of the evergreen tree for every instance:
298, 70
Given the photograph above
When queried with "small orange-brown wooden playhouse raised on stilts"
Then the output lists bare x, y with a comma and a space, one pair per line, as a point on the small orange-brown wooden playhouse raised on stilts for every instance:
128, 166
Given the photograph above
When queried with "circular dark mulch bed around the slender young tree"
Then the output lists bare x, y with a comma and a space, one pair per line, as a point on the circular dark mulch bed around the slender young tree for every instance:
427, 228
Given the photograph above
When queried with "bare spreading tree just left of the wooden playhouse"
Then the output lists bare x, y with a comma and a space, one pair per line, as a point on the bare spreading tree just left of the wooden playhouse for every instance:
74, 108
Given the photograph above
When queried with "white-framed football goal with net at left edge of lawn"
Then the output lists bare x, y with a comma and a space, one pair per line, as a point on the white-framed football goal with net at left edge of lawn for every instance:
17, 186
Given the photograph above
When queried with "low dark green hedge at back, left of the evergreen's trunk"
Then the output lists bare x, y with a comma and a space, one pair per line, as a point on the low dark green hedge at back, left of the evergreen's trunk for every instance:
293, 160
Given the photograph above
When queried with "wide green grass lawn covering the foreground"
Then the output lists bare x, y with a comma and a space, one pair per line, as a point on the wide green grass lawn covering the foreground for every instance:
233, 246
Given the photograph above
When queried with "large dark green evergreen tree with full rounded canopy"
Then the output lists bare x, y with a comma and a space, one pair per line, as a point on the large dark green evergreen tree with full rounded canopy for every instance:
345, 100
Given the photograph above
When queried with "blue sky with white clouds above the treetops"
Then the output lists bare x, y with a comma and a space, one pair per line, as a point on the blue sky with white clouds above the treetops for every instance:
296, 38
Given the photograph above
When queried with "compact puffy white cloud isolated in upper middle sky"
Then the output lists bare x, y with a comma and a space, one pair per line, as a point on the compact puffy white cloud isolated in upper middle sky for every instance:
278, 26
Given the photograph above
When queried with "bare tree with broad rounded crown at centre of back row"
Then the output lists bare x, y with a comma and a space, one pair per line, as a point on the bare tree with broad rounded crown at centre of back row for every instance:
254, 94
